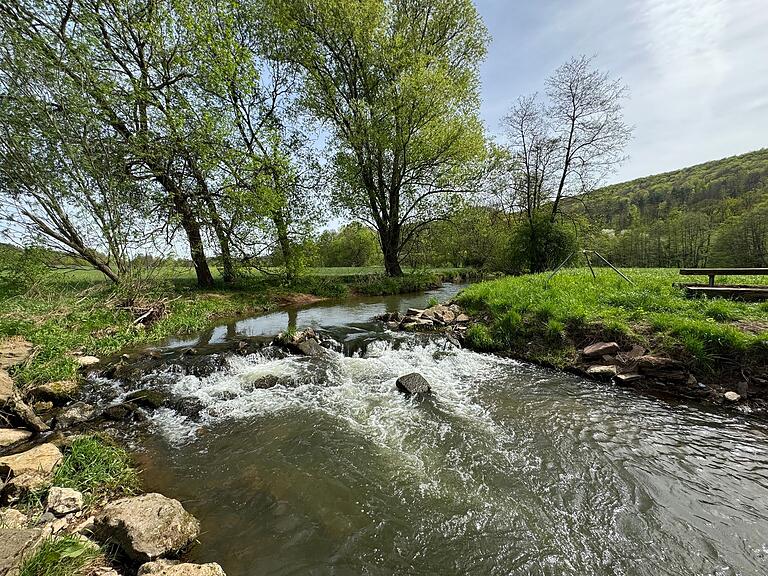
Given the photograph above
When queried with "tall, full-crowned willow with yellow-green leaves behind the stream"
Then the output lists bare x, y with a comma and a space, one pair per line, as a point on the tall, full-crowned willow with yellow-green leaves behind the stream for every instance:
395, 82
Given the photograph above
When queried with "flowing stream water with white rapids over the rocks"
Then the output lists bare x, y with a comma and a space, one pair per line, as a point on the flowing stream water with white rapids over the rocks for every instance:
508, 469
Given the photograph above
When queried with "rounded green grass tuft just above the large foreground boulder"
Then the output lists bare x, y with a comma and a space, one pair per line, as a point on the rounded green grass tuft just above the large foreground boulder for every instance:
97, 468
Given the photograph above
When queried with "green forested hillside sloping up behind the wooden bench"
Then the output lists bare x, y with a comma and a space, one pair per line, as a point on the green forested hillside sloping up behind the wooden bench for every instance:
710, 214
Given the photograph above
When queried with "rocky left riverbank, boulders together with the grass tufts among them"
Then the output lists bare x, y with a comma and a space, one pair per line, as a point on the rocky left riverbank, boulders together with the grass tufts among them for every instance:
44, 525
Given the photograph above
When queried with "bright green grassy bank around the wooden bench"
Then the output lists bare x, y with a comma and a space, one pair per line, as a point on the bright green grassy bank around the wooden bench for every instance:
549, 321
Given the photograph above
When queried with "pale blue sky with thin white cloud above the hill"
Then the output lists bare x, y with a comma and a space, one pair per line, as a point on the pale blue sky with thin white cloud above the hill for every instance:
697, 70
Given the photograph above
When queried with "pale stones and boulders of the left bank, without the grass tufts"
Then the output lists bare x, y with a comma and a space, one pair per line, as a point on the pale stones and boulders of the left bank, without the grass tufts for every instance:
150, 531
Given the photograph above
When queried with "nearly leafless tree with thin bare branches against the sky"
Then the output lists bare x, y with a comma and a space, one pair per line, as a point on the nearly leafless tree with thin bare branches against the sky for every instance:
563, 146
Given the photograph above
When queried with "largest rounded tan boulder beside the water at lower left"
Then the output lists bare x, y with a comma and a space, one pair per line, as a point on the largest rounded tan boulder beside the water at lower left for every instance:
147, 527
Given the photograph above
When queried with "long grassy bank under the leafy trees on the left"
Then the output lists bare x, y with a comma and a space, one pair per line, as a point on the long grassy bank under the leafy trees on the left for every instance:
66, 313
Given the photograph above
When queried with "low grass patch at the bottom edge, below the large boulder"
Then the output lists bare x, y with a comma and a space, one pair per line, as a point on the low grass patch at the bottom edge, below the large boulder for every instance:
61, 556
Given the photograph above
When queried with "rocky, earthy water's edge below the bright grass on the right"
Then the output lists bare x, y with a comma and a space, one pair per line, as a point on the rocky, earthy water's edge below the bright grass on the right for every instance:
627, 364
